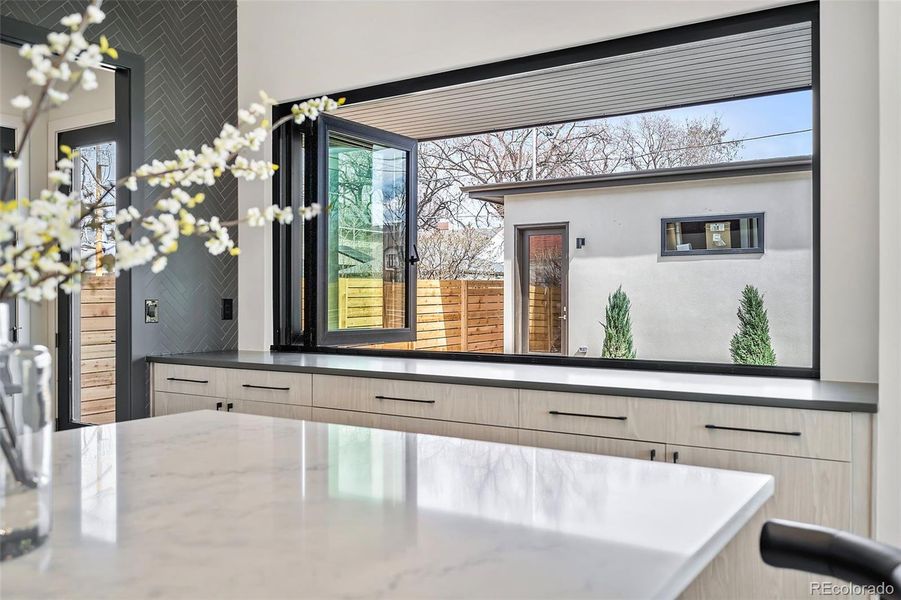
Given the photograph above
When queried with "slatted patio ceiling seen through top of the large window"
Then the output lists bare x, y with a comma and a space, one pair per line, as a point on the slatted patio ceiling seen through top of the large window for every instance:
759, 62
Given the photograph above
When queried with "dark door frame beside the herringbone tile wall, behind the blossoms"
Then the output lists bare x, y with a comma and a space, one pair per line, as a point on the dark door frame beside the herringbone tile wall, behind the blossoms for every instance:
131, 392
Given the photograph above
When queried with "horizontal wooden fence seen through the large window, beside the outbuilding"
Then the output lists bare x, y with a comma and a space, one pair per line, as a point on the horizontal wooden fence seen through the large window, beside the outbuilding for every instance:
452, 316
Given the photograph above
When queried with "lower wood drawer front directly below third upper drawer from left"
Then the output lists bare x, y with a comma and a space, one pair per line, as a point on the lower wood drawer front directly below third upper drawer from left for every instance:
413, 425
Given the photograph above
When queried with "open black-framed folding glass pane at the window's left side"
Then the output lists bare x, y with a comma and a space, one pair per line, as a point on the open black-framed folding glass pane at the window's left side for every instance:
366, 182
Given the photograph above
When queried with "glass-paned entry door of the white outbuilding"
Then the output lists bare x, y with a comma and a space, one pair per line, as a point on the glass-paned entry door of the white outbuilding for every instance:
543, 275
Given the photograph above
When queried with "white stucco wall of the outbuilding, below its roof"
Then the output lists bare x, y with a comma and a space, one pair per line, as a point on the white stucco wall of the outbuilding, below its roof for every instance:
683, 307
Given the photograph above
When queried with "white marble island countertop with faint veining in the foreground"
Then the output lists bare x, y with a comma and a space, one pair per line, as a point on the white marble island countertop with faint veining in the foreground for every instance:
222, 505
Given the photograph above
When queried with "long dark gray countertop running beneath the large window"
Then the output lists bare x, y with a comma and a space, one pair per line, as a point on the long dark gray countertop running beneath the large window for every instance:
731, 389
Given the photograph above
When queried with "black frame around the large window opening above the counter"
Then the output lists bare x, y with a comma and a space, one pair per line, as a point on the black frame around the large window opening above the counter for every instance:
289, 340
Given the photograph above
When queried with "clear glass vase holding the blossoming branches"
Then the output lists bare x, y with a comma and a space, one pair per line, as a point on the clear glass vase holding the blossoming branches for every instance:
25, 441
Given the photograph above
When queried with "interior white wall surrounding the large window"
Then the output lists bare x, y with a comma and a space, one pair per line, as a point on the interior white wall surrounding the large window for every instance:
303, 48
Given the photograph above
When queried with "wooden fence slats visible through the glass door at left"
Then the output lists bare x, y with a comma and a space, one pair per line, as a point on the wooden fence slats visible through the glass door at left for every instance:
98, 349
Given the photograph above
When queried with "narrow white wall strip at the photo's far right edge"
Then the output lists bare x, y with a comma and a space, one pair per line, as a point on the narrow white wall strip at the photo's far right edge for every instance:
888, 421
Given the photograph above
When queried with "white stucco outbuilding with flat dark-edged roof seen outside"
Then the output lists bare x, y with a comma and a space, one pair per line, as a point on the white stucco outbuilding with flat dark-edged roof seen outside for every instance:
684, 301
